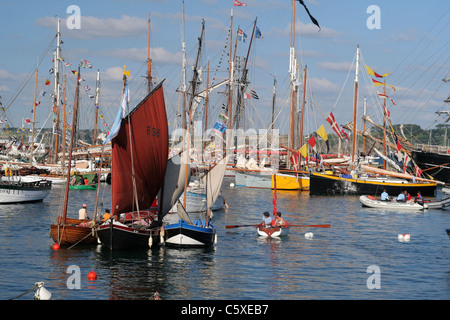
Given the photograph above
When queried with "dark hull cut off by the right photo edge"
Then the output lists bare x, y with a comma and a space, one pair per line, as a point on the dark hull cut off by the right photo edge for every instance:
436, 164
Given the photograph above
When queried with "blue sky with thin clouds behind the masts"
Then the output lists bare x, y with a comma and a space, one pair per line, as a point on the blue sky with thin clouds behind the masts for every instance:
410, 41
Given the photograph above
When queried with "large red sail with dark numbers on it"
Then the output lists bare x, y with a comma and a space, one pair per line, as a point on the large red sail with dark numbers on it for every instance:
149, 144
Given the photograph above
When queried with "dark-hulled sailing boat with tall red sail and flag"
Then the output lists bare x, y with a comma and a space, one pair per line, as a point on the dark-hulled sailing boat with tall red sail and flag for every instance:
139, 160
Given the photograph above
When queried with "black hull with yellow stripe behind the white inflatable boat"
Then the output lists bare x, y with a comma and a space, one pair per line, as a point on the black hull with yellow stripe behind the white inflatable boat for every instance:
322, 184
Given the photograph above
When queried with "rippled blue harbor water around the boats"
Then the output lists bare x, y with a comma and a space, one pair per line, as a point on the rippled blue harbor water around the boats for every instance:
359, 257
